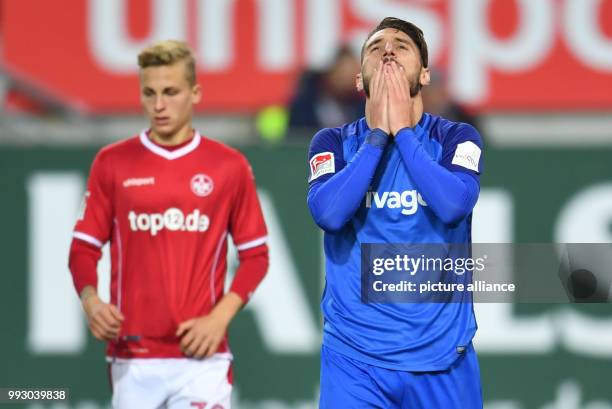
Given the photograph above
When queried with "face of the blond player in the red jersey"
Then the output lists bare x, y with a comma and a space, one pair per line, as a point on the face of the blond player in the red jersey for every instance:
167, 97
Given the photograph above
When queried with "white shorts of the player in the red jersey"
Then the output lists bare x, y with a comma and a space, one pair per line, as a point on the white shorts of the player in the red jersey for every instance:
172, 383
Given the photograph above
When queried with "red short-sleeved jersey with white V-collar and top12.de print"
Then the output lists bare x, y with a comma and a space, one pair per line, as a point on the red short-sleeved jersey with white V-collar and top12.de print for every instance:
167, 214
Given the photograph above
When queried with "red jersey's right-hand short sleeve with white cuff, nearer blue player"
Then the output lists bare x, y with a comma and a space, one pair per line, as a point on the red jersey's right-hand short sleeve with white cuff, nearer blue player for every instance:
247, 225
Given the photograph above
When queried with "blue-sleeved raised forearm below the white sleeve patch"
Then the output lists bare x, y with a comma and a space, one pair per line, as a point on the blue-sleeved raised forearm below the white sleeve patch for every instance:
451, 196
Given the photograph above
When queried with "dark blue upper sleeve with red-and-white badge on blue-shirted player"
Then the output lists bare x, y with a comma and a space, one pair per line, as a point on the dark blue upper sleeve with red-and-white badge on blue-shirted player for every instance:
325, 156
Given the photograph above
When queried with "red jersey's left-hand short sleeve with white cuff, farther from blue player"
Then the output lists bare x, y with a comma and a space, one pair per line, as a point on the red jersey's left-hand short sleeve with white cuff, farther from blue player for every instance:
94, 224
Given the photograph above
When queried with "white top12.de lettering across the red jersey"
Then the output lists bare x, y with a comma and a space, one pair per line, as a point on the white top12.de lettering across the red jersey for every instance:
172, 219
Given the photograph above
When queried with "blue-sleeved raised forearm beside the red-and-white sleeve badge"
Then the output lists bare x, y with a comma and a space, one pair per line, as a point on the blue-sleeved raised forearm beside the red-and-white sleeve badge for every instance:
334, 202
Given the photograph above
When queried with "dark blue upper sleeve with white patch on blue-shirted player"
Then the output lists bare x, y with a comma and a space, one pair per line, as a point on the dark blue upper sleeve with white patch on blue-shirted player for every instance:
462, 151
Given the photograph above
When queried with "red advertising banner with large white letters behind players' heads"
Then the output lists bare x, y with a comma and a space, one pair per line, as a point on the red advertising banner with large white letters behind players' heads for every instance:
498, 54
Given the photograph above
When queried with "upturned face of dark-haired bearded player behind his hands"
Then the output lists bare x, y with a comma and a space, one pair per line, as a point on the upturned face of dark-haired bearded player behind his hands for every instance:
390, 45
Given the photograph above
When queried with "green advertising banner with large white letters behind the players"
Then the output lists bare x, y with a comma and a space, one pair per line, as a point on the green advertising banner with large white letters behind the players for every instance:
542, 353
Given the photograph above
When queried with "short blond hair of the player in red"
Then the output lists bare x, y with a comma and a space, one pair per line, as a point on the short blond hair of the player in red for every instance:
169, 52
